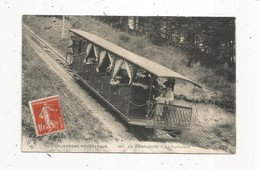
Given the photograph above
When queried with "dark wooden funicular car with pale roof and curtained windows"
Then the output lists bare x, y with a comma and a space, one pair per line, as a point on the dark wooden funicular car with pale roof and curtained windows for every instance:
139, 90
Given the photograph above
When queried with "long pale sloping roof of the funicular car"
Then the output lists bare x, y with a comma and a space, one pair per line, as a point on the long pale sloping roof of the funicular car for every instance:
142, 62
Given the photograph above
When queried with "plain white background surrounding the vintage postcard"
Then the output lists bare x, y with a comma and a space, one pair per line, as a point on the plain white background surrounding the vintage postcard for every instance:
247, 17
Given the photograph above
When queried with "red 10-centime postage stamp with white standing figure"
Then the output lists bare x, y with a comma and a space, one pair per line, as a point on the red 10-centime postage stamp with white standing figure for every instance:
47, 115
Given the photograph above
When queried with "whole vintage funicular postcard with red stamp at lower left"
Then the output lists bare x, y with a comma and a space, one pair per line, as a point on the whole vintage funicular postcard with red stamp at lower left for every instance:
128, 84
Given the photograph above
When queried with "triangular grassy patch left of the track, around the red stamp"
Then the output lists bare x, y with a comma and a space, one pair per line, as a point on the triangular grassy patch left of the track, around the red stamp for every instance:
39, 82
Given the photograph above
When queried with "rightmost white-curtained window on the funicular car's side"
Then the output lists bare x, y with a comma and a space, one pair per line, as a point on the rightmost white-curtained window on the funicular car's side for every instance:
122, 73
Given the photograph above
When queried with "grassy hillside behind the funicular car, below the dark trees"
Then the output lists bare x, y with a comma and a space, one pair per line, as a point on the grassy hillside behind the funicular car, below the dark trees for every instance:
213, 127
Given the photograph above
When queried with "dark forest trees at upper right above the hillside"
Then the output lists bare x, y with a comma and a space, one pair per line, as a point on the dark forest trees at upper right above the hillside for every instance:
208, 40
